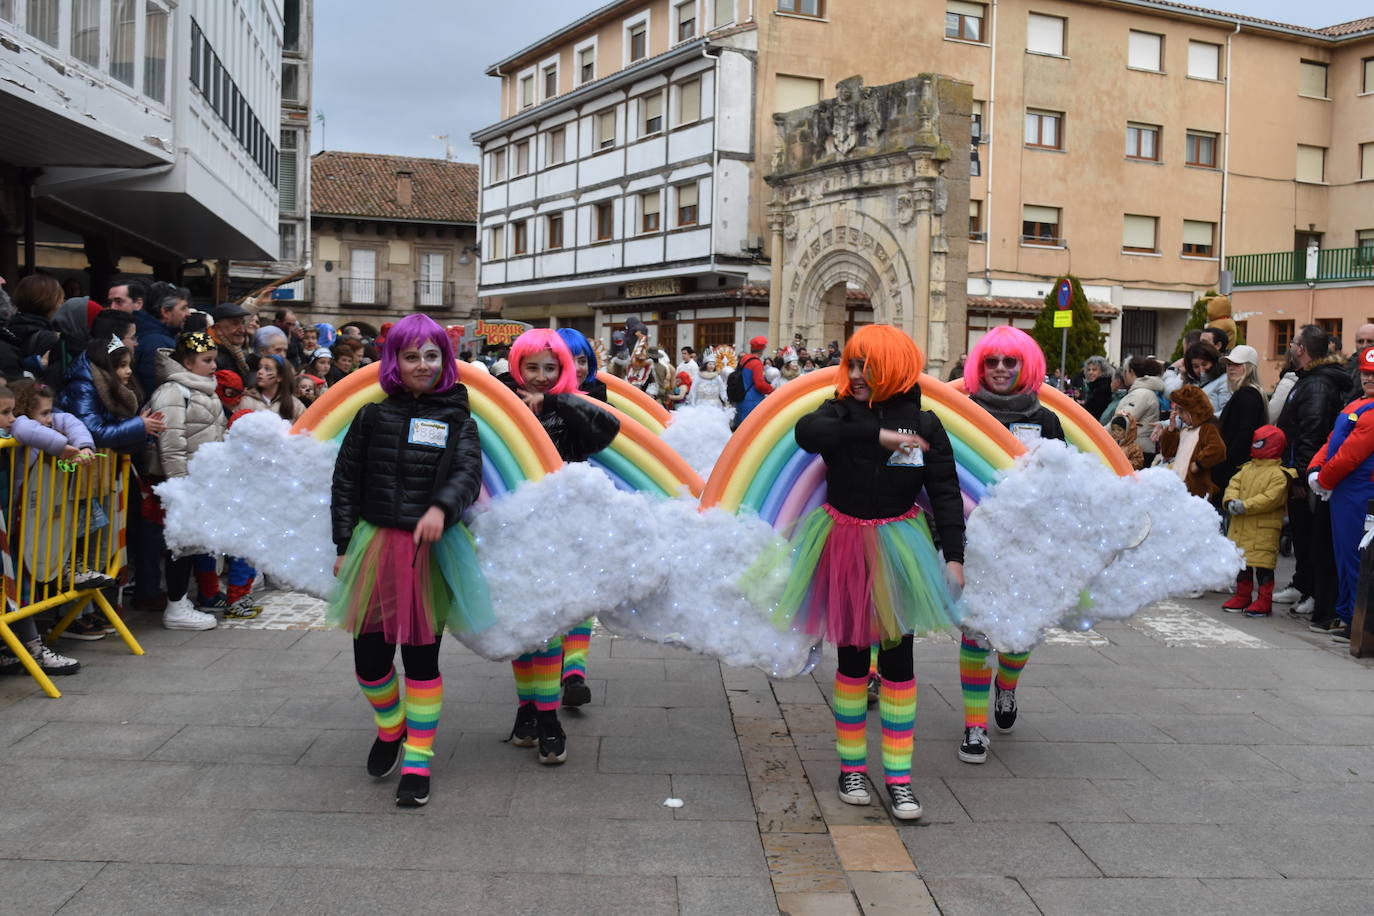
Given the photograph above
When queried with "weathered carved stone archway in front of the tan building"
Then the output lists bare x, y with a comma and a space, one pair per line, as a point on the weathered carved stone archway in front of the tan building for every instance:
862, 189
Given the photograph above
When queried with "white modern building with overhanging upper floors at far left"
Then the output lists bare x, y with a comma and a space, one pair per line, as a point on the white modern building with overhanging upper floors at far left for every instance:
138, 131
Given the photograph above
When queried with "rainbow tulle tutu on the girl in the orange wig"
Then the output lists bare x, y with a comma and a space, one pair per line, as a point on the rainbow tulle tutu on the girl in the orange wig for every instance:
864, 582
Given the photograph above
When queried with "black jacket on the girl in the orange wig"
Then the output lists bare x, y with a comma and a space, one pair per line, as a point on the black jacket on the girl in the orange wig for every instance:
861, 481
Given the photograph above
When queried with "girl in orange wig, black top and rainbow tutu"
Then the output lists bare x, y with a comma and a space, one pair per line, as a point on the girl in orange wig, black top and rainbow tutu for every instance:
865, 568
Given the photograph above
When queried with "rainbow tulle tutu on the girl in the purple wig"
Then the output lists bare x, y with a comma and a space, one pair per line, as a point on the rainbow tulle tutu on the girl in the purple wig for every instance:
387, 587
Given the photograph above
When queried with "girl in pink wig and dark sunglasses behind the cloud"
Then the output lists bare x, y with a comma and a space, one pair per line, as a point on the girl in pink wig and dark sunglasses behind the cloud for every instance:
1004, 376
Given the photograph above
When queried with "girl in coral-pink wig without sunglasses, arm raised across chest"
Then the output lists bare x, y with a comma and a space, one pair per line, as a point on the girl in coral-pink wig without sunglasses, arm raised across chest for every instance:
545, 376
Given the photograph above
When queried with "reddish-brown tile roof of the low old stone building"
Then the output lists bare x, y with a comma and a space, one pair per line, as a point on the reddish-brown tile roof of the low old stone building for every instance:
365, 185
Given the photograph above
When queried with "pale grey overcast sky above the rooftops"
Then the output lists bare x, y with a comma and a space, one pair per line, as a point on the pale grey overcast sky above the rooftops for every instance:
391, 78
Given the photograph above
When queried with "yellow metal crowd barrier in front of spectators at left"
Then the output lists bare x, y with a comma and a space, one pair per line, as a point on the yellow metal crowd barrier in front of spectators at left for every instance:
65, 518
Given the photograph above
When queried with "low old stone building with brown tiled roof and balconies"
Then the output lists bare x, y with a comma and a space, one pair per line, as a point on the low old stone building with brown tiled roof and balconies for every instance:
391, 236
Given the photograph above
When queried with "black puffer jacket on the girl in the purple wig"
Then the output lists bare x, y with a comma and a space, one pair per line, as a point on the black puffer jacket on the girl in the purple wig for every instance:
403, 457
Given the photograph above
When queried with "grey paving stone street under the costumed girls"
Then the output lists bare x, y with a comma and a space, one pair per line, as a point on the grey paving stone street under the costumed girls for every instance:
1186, 762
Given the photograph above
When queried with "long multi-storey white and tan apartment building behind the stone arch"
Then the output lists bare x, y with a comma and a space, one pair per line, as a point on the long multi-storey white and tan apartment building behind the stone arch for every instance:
1133, 144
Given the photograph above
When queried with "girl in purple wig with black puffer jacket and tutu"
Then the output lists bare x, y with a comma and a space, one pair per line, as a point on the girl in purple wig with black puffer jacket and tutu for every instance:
409, 469
